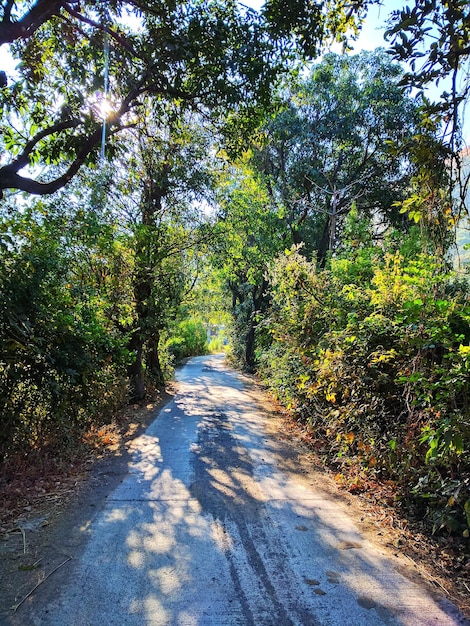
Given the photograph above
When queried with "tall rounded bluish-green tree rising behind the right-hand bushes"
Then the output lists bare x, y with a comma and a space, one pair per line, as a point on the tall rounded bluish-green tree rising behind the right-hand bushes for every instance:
338, 142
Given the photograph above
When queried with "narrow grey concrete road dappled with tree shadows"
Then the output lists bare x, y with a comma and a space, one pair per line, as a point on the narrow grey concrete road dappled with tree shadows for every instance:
208, 530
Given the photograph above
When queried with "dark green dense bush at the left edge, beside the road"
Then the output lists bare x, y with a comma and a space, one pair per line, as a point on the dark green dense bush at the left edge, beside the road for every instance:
62, 360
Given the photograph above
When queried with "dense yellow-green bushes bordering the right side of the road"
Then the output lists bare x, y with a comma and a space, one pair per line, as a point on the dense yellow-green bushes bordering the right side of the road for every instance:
372, 354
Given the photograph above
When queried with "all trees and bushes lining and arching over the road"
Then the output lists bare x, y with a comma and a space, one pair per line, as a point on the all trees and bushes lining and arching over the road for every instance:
198, 178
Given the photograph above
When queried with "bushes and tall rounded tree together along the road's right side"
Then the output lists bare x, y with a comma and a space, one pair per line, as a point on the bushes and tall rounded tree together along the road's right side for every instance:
349, 304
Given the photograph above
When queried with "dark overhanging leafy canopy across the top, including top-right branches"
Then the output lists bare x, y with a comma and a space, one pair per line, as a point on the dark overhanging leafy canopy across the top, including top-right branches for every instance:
214, 56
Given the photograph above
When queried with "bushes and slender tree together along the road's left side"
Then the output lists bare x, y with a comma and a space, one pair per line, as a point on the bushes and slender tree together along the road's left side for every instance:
91, 281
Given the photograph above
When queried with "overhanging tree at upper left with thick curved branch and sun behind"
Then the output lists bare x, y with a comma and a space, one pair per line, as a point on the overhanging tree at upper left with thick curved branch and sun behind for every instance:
208, 55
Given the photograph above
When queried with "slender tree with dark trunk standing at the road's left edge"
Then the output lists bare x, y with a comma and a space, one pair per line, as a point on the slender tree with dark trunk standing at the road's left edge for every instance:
170, 172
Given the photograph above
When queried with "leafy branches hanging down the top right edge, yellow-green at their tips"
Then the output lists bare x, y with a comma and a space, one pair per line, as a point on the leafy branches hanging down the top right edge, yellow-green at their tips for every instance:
433, 38
